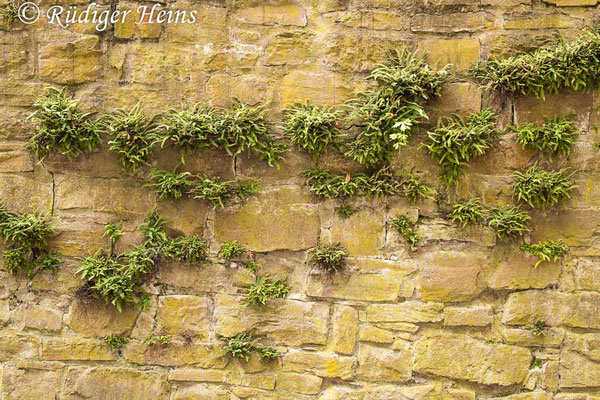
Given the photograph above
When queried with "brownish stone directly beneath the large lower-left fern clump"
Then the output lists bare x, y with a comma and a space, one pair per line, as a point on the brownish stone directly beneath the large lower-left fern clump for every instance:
96, 319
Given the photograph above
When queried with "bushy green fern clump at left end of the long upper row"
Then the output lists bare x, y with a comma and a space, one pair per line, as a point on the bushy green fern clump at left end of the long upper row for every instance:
60, 127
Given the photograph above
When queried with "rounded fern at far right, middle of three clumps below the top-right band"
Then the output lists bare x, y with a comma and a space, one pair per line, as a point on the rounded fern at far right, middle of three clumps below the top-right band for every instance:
540, 188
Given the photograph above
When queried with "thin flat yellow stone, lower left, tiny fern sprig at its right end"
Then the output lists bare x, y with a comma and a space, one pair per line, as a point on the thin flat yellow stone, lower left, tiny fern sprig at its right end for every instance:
64, 349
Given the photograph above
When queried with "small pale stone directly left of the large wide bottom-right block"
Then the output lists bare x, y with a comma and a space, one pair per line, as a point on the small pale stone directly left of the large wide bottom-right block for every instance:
383, 365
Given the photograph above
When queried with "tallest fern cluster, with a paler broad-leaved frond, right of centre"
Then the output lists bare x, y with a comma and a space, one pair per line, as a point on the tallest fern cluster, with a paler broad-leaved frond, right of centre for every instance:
386, 117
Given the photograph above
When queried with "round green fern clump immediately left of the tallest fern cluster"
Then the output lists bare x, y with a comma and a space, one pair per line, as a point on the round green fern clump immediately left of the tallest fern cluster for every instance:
312, 128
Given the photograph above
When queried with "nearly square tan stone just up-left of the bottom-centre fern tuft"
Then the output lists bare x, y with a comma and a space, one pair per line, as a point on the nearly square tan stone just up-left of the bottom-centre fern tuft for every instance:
184, 315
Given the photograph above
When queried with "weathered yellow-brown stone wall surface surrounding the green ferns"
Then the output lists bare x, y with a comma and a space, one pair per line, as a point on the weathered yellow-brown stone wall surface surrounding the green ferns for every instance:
443, 322
